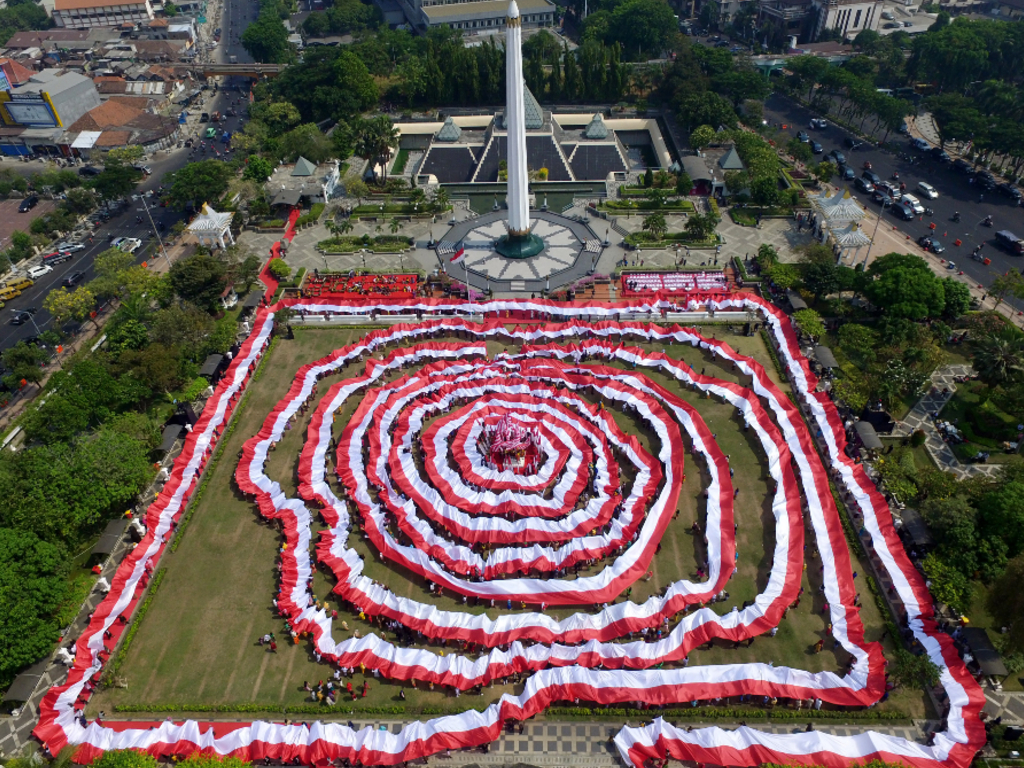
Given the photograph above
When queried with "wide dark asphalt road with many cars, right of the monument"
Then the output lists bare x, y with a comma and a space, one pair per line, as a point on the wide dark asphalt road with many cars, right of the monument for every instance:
956, 194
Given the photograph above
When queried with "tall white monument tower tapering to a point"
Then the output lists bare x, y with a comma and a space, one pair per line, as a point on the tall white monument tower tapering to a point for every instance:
519, 190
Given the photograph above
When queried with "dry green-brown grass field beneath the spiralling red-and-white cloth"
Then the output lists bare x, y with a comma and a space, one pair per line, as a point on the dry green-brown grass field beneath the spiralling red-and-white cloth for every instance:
198, 645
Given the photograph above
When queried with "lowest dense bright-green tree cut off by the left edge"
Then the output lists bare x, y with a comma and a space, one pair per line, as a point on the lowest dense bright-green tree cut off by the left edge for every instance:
33, 587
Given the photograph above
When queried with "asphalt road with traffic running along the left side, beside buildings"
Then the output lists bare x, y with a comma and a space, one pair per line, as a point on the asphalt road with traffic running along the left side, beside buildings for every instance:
232, 94
